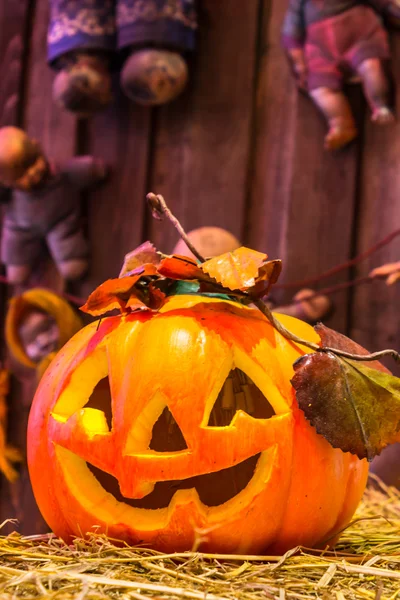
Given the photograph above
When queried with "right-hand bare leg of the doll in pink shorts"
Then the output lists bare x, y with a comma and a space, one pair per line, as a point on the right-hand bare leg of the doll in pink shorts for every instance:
377, 89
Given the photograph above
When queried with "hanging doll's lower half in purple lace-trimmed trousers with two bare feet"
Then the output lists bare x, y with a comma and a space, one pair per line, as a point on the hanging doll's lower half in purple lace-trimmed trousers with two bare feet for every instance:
152, 38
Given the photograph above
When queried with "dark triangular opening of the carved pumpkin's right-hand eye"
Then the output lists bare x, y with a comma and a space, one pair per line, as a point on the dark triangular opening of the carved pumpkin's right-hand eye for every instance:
239, 393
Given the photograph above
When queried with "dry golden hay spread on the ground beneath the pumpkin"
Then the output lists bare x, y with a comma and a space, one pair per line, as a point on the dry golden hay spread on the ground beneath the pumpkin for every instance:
365, 565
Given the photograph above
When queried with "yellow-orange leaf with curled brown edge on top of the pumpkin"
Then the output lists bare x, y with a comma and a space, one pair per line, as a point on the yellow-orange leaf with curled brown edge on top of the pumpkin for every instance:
243, 269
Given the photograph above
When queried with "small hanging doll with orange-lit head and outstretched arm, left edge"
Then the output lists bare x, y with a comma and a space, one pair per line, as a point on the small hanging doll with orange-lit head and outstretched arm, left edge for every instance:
42, 204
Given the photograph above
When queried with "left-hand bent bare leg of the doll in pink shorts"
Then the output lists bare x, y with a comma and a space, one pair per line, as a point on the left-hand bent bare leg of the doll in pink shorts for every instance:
336, 109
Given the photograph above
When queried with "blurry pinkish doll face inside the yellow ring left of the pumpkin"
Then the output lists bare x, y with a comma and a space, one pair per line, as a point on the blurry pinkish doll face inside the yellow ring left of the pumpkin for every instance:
39, 334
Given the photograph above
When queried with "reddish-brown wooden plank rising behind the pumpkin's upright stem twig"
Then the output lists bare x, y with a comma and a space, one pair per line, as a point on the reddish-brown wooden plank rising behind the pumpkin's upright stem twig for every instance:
202, 142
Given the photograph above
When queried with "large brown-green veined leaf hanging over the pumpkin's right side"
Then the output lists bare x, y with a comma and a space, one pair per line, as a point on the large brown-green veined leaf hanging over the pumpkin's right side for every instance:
355, 407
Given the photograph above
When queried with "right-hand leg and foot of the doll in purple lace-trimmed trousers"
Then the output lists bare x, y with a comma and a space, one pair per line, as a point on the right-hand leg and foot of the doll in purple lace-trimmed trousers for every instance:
155, 72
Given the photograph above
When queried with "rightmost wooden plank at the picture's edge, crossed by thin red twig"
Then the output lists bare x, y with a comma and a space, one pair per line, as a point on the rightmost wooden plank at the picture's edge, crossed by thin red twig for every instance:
375, 319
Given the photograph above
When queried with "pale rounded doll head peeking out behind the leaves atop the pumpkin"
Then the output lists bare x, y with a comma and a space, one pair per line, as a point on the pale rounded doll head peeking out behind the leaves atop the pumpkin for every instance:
209, 241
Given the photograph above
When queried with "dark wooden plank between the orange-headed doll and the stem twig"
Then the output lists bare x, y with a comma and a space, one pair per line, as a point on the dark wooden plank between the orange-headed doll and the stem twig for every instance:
120, 136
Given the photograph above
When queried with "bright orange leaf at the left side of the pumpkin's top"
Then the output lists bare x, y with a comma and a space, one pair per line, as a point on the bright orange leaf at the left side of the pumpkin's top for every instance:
115, 293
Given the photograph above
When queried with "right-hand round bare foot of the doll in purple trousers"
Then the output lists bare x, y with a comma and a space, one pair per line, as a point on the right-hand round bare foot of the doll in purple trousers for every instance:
153, 77
